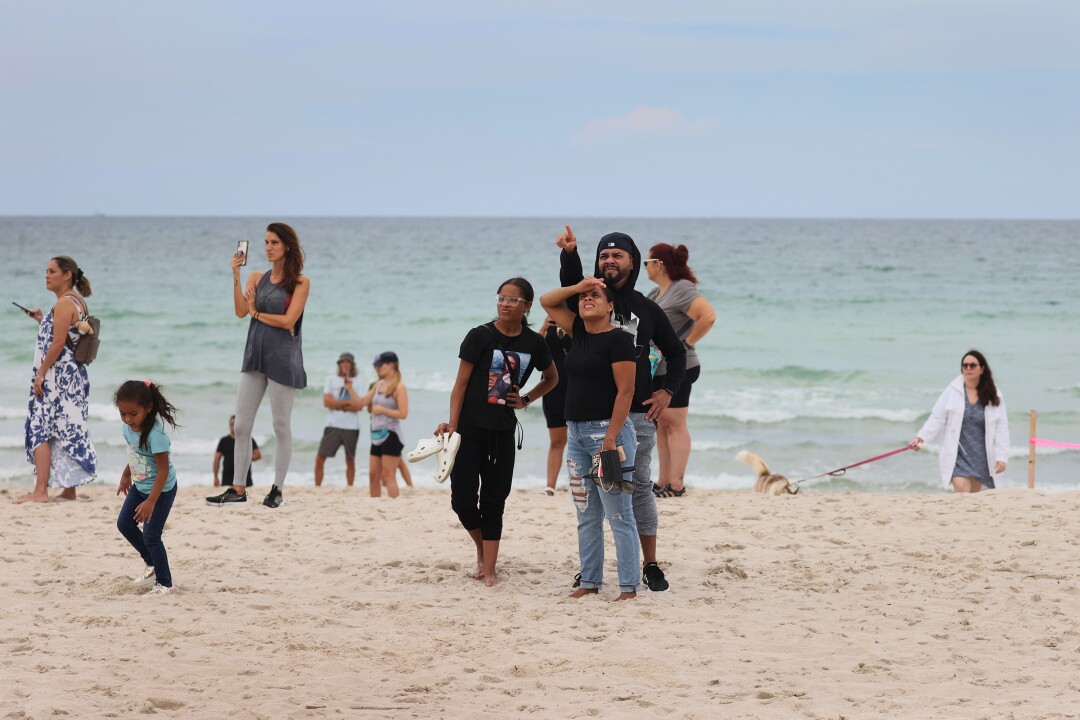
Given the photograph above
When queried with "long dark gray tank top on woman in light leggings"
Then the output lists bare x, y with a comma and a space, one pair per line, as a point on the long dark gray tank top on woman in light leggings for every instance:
273, 351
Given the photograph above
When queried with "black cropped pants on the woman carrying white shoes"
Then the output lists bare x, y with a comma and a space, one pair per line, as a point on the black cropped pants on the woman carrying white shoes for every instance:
480, 482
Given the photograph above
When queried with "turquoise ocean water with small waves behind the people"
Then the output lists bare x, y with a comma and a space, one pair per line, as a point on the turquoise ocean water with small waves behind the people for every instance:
833, 342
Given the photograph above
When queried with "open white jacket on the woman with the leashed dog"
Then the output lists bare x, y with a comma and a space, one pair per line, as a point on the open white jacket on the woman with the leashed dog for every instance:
949, 414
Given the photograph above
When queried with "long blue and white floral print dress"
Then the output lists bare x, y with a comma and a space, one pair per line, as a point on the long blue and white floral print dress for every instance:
60, 416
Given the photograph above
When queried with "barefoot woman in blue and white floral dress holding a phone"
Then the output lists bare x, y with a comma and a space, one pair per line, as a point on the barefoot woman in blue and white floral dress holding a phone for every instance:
58, 439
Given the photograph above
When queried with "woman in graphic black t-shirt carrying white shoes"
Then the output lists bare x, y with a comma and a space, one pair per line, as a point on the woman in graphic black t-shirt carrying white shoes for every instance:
496, 359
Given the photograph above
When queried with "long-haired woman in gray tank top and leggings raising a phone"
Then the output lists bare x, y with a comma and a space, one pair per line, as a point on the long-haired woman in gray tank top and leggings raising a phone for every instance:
274, 359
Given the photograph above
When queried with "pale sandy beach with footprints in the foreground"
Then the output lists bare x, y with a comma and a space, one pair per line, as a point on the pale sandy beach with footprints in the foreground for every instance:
337, 606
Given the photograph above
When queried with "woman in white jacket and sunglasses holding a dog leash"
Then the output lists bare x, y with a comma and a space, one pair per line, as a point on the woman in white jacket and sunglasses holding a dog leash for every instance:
977, 428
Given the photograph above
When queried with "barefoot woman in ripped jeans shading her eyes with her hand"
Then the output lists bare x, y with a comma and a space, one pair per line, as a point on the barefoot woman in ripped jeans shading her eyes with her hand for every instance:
600, 389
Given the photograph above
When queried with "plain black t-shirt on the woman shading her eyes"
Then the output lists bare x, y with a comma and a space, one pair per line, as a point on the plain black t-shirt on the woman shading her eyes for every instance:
590, 382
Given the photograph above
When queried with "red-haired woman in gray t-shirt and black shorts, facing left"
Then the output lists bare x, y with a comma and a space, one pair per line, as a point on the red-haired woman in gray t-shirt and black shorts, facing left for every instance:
692, 317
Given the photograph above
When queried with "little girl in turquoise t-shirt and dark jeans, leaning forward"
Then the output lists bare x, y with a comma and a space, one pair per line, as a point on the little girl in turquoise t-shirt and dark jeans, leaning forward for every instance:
150, 480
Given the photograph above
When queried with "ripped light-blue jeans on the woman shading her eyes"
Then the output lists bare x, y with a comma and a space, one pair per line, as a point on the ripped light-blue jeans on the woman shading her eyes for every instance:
585, 440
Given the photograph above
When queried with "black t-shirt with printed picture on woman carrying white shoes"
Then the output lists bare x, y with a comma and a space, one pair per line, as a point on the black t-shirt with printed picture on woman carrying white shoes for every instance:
499, 363
